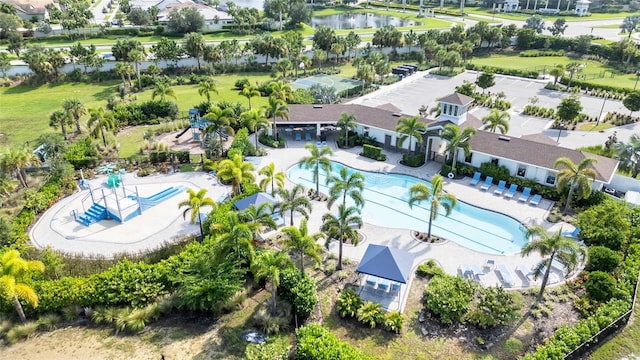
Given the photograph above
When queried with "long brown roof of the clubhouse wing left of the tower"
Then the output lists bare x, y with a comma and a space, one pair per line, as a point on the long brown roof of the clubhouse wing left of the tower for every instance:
330, 113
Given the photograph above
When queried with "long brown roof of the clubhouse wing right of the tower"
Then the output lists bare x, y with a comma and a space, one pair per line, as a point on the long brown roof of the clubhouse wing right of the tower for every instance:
536, 153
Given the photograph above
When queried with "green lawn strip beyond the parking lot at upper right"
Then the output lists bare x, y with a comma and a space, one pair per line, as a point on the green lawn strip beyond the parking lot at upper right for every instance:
594, 72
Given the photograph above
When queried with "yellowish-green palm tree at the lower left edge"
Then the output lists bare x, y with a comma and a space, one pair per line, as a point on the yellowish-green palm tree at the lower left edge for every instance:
13, 268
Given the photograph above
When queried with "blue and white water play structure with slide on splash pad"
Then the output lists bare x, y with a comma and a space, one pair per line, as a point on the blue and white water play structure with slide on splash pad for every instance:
116, 202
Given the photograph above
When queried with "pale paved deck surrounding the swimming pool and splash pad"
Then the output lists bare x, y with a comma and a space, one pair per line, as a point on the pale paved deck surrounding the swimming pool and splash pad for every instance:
164, 222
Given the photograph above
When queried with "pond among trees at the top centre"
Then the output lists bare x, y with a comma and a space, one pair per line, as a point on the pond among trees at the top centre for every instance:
360, 21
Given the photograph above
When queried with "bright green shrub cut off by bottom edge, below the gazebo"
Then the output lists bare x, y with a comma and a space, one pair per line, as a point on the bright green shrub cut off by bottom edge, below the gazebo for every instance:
315, 342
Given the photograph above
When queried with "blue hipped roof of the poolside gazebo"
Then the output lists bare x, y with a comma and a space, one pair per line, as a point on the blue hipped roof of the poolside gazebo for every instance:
387, 263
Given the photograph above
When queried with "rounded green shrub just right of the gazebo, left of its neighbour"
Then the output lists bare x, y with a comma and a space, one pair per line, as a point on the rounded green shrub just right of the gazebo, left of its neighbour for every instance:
448, 297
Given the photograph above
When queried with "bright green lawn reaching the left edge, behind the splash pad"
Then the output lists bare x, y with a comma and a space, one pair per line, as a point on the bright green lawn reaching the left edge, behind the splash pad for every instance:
26, 109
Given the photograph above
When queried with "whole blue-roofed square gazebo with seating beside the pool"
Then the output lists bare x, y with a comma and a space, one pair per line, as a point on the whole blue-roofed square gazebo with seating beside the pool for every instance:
387, 270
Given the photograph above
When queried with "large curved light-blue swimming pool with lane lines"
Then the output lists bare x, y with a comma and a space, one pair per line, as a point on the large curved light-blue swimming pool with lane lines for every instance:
386, 204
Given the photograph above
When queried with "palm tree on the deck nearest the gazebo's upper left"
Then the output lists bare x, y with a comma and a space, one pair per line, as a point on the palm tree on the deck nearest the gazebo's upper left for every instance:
342, 227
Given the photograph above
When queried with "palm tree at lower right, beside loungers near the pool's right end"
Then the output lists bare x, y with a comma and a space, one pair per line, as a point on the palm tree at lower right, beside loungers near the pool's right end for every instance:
551, 247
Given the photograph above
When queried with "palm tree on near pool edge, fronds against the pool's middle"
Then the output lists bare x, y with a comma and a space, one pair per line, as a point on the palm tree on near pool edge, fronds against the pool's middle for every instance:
435, 195
